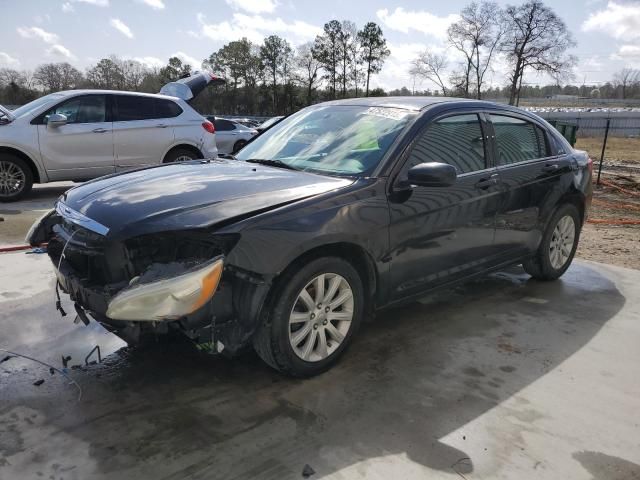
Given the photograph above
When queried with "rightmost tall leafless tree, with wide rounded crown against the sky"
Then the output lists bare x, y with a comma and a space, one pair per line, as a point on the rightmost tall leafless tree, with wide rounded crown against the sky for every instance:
535, 38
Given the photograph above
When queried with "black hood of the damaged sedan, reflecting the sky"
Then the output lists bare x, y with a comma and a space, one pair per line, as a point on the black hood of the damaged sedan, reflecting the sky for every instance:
190, 195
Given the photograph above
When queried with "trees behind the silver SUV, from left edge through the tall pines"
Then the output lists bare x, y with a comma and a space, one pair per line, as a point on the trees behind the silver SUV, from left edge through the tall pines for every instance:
270, 78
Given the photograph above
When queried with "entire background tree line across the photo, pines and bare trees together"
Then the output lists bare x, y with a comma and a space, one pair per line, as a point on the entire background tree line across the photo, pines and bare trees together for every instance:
275, 77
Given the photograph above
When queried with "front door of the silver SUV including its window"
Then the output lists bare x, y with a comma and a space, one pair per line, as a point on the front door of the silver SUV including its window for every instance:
83, 147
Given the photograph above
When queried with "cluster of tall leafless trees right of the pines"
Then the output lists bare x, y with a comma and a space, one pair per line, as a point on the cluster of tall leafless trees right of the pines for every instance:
528, 37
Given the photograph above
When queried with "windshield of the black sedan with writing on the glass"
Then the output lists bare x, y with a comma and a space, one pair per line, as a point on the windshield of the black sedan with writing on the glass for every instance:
332, 139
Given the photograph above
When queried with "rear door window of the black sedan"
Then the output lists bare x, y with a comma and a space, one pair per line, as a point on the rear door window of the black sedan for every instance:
517, 140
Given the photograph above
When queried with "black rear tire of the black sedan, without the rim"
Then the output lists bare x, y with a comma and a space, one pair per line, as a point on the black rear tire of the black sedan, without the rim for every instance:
540, 265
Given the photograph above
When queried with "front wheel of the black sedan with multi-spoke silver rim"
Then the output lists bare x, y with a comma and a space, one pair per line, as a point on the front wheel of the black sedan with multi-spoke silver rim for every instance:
315, 312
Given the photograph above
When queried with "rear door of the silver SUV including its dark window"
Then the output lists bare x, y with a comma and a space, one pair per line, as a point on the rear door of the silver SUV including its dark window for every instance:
142, 129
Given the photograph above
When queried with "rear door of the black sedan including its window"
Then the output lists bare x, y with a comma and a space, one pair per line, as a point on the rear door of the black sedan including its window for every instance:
530, 174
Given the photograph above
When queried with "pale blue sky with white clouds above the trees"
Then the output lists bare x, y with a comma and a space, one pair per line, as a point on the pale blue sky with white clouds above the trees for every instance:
81, 32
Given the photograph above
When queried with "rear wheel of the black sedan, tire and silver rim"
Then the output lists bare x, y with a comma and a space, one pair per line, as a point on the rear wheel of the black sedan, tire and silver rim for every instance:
558, 245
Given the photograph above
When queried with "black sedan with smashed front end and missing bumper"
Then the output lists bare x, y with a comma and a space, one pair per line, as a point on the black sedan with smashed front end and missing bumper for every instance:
340, 209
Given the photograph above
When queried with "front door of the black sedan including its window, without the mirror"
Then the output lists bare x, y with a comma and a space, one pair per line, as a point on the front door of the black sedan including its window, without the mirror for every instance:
440, 234
